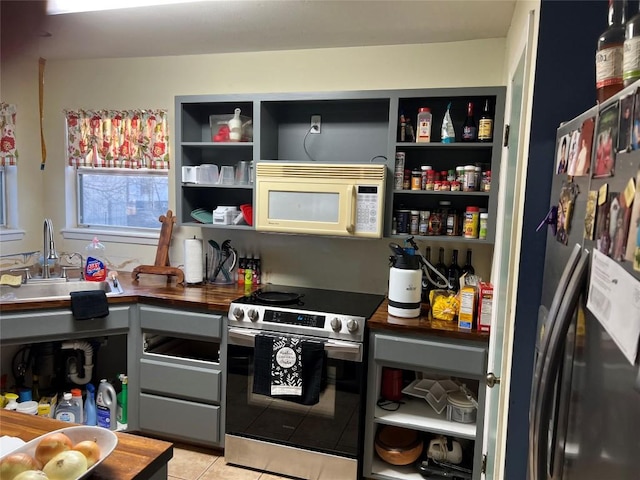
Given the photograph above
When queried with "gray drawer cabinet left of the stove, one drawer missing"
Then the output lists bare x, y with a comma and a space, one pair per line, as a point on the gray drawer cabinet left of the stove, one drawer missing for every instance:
181, 374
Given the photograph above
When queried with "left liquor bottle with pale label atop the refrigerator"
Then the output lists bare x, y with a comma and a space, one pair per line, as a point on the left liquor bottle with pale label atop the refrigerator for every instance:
609, 53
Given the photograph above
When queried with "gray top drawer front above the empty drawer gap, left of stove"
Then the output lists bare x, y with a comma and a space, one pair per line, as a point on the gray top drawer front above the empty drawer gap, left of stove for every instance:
184, 322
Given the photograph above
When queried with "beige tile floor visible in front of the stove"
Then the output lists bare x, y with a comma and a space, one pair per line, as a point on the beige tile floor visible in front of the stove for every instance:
196, 463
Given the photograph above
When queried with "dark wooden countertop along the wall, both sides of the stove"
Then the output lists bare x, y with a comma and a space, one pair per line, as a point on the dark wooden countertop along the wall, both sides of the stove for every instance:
161, 290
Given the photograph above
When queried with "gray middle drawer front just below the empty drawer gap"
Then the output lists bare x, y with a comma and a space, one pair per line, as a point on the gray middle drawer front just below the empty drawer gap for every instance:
181, 378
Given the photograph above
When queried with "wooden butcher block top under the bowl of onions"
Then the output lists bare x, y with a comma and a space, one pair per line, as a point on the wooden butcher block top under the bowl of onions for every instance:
135, 457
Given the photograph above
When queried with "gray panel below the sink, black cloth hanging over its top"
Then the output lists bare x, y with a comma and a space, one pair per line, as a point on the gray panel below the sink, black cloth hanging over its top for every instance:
60, 324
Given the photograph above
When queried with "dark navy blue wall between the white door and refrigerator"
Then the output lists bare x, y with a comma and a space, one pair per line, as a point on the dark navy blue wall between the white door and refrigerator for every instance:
564, 87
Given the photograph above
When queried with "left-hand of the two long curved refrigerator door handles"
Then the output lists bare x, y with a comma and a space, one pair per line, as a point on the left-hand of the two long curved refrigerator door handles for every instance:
538, 373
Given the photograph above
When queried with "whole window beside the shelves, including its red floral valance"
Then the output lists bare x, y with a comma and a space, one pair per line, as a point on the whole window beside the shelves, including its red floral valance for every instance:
119, 161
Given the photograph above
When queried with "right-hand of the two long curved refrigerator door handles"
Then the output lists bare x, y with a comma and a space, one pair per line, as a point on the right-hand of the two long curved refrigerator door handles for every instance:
551, 364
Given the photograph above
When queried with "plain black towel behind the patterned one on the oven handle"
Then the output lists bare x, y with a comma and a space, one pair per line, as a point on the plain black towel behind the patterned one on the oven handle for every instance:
313, 372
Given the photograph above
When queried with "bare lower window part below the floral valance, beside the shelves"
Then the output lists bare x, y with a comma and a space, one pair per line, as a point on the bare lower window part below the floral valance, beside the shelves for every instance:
121, 198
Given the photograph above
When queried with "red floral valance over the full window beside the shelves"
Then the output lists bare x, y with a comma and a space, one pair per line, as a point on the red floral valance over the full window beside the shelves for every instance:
118, 138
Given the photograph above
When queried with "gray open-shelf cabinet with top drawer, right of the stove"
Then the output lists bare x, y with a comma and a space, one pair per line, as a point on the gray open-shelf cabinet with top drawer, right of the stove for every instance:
422, 356
